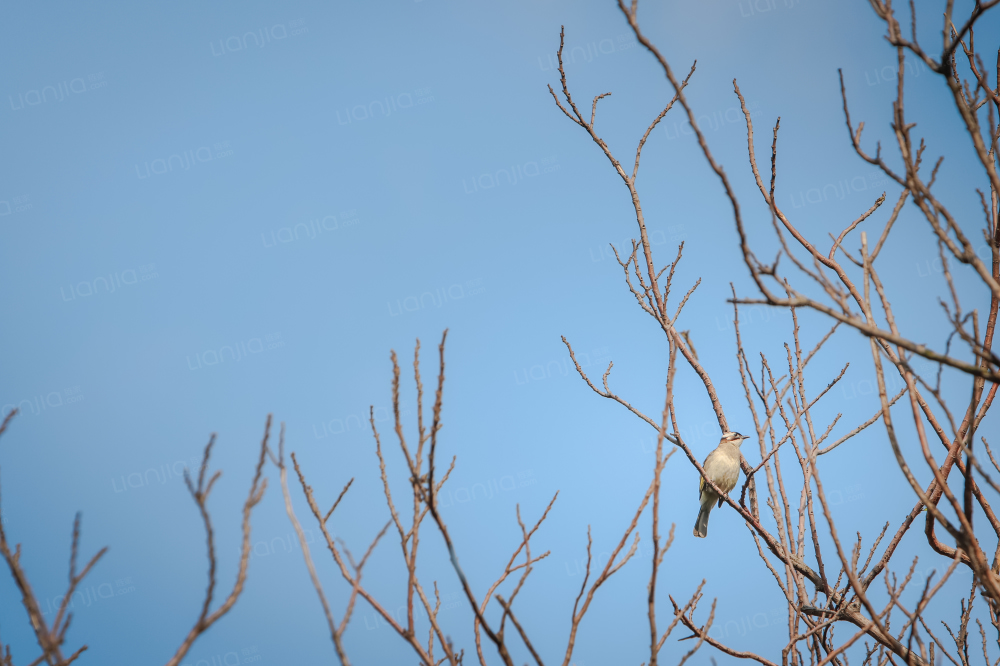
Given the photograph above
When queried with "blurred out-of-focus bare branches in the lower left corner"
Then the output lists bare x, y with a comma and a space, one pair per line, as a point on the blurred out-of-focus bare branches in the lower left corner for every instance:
51, 638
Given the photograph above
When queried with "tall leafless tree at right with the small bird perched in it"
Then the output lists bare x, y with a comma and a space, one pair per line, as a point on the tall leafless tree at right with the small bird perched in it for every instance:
789, 542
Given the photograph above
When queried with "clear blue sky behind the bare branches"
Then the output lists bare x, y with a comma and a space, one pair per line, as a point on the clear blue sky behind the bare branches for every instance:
212, 212
